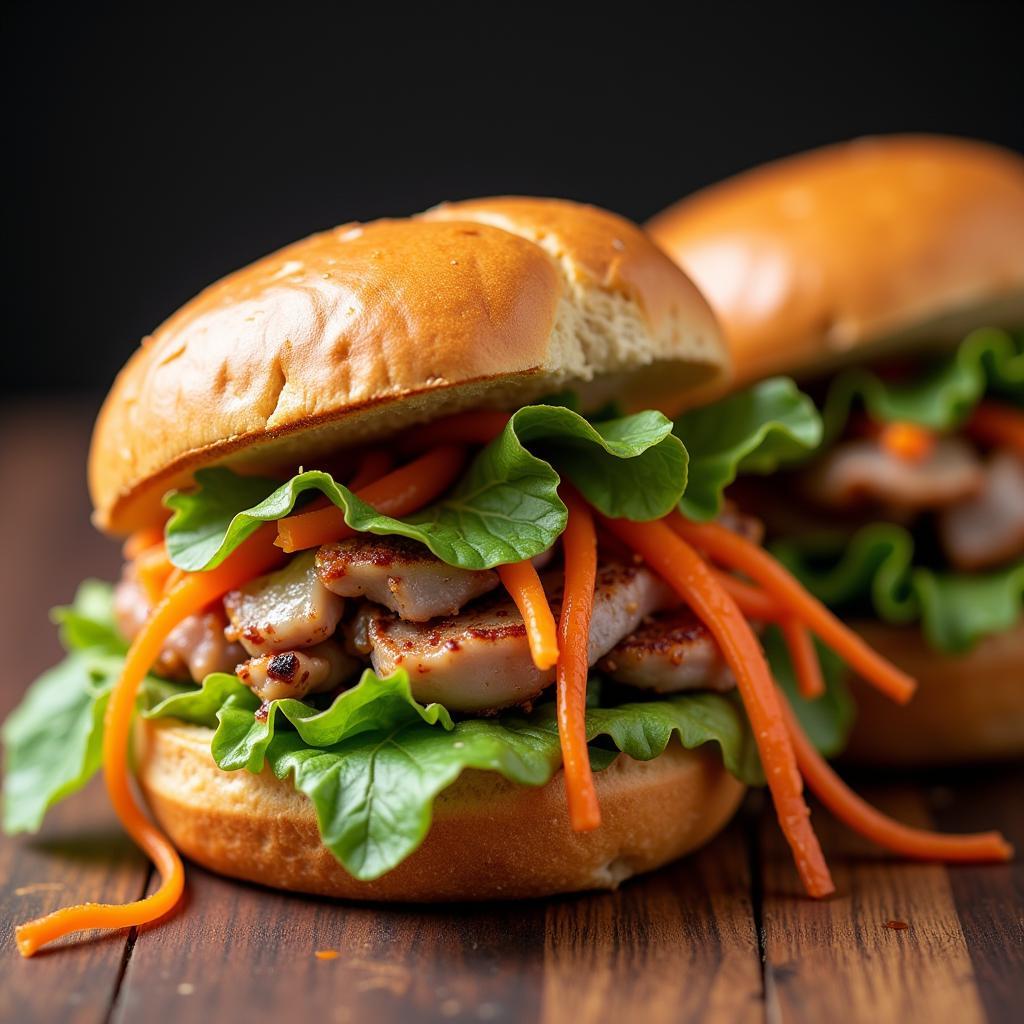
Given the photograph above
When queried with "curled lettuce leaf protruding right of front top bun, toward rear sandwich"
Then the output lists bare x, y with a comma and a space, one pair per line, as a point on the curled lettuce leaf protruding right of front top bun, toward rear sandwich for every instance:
753, 432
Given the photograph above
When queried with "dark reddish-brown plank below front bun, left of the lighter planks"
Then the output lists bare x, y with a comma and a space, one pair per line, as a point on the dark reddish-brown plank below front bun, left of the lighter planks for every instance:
238, 953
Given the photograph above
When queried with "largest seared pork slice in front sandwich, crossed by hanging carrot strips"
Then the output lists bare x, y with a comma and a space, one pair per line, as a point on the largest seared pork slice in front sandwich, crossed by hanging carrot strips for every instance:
480, 661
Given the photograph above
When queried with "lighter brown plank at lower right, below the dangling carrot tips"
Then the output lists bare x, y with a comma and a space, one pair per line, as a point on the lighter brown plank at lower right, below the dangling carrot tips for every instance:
850, 958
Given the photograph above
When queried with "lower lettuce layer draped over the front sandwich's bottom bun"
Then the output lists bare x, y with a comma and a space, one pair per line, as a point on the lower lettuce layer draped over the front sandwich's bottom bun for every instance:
374, 761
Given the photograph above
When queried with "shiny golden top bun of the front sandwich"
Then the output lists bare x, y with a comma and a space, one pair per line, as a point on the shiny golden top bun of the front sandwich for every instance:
358, 332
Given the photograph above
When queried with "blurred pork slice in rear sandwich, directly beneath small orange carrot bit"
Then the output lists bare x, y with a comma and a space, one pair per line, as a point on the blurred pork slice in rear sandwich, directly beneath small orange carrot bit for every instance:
865, 472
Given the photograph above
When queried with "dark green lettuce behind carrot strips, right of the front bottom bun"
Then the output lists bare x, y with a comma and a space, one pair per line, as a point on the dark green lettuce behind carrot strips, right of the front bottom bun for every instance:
827, 720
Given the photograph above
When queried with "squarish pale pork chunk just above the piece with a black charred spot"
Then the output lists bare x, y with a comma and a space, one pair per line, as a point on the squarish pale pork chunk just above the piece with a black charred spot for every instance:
283, 611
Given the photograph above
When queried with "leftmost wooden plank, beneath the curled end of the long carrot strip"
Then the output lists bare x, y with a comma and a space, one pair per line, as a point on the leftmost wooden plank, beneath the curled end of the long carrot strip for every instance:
80, 855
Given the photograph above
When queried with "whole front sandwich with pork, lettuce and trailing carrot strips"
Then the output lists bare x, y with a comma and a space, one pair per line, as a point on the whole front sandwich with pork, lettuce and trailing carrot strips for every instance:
412, 610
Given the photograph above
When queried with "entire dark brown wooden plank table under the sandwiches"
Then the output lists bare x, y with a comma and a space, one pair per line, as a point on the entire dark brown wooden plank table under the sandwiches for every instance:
724, 935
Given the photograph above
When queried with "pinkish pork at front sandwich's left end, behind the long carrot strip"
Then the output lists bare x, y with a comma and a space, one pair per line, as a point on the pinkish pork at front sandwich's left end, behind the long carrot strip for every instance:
195, 649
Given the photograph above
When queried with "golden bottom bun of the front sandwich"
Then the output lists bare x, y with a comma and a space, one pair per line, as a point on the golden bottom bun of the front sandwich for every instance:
490, 839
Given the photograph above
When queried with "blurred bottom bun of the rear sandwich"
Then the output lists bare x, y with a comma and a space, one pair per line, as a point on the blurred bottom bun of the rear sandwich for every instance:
967, 708
